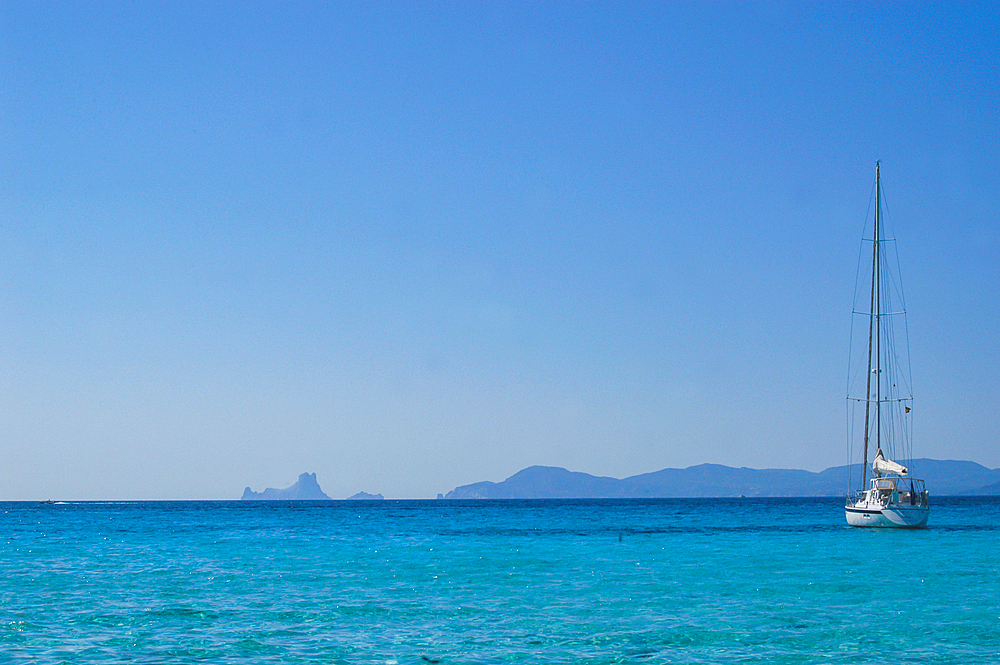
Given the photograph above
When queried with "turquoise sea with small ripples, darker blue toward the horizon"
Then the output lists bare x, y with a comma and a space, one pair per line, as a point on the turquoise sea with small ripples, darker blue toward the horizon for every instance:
551, 581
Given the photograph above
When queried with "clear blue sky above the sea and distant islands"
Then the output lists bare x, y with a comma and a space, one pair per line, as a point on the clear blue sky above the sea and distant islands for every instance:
412, 246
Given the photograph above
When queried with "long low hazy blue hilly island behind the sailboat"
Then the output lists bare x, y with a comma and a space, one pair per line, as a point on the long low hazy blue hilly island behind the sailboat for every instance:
944, 478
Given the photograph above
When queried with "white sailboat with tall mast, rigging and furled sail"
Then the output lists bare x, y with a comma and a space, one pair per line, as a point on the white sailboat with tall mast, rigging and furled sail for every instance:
879, 386
